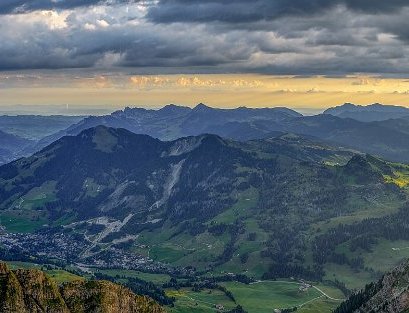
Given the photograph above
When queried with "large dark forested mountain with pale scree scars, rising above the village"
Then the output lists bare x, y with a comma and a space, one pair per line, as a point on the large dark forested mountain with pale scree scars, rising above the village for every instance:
267, 206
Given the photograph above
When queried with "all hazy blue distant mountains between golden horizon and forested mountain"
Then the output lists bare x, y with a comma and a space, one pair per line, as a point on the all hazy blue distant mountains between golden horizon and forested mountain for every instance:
376, 129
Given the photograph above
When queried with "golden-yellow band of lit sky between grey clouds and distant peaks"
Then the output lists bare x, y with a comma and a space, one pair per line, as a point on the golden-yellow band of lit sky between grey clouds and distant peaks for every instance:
215, 90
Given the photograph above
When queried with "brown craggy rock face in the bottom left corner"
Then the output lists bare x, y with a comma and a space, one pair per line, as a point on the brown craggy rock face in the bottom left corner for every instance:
31, 291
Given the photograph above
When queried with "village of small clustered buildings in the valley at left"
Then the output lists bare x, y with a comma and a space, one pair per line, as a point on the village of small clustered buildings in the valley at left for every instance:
67, 249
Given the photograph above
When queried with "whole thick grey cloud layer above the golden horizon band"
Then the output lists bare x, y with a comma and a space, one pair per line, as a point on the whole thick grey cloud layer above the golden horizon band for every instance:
332, 37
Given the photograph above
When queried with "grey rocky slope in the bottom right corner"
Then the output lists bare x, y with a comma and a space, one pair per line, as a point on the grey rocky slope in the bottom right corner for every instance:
388, 295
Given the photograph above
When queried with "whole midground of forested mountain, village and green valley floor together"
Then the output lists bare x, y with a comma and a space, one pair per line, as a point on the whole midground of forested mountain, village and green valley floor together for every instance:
195, 220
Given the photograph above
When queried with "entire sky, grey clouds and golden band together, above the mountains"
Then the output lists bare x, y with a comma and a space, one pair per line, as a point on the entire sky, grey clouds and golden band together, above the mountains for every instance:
304, 54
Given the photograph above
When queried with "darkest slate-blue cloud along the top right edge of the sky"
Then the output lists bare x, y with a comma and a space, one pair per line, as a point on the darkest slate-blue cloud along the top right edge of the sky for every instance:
244, 11
